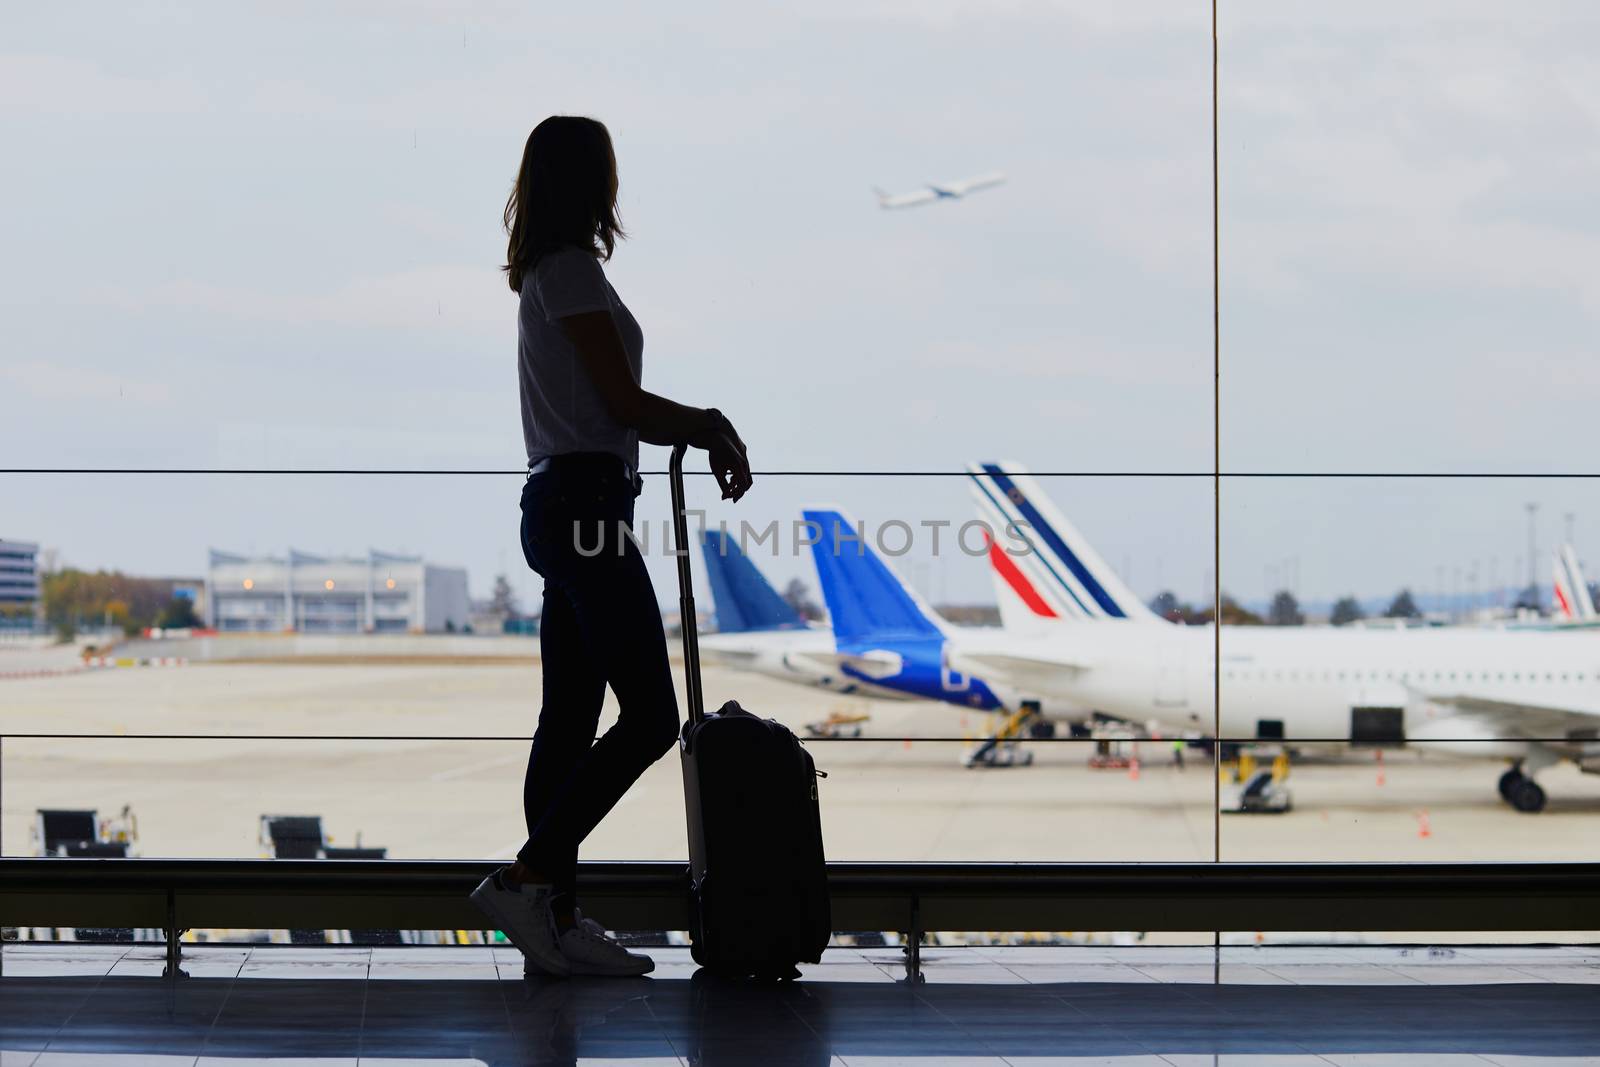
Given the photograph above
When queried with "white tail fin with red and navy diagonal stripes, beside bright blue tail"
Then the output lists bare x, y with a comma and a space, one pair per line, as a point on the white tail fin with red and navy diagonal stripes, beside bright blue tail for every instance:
1042, 565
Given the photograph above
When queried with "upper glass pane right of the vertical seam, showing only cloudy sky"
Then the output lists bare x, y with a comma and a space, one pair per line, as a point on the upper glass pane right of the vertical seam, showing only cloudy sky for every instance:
1407, 236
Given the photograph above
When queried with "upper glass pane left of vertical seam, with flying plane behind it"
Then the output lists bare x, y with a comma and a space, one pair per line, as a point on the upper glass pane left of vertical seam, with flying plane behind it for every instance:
326, 244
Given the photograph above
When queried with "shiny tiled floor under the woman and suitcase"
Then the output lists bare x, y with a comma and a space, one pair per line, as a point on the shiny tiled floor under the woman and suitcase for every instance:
106, 1007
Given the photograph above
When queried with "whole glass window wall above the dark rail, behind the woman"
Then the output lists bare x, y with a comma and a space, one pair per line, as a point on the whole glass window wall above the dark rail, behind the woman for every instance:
262, 418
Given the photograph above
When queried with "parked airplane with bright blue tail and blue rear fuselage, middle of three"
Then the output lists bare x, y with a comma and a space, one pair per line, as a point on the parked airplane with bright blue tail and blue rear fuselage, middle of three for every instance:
887, 636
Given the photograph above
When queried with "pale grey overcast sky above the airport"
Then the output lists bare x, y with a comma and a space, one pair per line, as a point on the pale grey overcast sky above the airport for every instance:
268, 236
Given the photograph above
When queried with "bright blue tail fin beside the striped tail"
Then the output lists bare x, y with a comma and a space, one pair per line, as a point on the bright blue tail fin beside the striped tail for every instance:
865, 599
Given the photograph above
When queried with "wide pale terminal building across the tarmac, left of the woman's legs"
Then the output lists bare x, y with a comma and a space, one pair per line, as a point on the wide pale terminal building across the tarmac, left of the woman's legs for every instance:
313, 594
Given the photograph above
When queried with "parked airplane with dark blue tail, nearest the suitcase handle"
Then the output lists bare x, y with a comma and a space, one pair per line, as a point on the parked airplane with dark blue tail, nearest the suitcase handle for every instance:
759, 631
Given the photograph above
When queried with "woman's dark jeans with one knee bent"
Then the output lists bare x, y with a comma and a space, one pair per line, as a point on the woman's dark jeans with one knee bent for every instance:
601, 626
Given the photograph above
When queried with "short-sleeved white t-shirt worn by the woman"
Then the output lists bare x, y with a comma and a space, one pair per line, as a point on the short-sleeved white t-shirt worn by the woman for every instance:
561, 409
